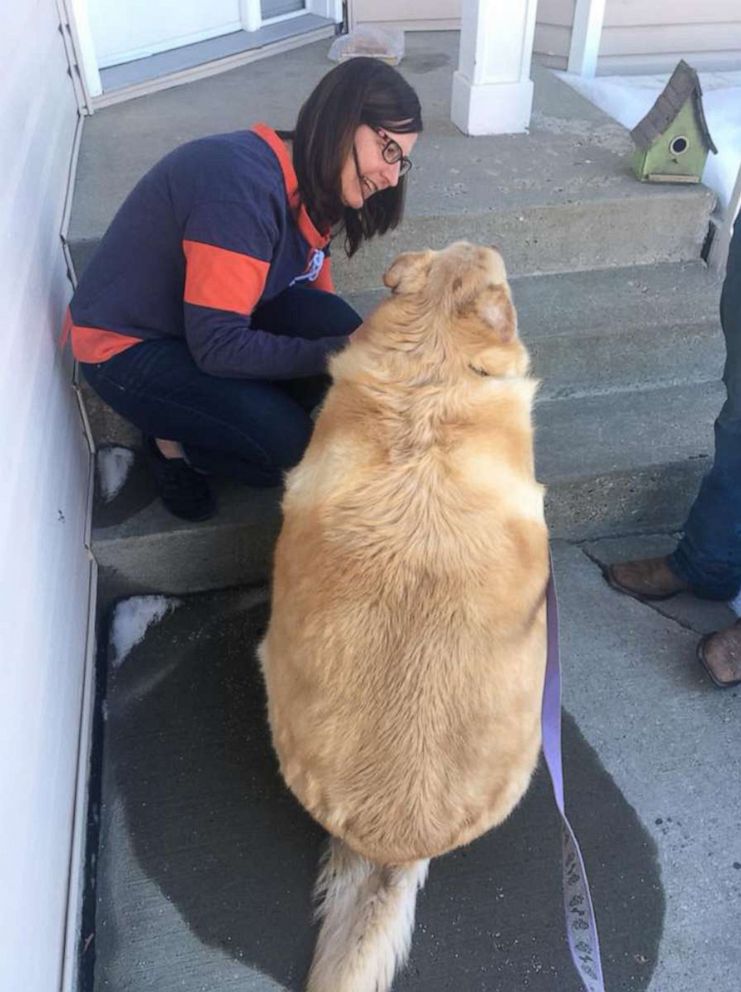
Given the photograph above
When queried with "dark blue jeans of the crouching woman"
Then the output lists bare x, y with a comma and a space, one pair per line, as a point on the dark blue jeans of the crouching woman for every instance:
248, 429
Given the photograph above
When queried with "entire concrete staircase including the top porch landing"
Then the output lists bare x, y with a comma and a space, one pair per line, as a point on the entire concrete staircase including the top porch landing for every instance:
614, 302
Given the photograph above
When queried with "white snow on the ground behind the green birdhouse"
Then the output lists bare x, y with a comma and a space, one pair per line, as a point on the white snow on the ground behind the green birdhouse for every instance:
629, 98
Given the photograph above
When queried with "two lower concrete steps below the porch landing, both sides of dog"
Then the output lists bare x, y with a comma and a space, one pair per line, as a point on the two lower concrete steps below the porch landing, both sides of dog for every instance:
629, 361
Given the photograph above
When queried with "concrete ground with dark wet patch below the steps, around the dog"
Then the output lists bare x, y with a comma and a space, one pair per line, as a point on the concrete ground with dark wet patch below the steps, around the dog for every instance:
206, 863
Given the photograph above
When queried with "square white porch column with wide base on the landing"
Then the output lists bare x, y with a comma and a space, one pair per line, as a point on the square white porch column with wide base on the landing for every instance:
492, 89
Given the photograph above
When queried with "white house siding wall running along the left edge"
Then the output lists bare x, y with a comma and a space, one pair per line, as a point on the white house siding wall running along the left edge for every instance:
43, 495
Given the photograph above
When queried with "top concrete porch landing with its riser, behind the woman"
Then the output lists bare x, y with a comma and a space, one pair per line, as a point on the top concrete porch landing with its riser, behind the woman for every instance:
560, 198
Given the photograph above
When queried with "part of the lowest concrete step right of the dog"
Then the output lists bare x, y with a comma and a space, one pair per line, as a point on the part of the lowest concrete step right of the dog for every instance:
626, 462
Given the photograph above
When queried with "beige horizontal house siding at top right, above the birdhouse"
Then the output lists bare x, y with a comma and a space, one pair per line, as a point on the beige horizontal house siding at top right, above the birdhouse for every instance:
641, 36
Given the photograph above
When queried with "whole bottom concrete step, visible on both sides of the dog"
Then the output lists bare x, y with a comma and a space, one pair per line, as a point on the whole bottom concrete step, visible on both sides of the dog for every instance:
614, 464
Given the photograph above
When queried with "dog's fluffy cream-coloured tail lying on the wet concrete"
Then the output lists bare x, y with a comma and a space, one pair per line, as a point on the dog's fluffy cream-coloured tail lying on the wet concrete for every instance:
368, 918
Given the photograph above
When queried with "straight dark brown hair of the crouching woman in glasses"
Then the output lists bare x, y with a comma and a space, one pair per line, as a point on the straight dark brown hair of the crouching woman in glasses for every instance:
359, 91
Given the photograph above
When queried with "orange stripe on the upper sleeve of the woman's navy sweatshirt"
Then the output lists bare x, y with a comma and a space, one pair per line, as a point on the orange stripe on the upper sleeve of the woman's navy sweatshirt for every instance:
222, 279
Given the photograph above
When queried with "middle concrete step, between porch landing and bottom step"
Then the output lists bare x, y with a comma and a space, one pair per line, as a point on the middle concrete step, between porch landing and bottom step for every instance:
588, 333
